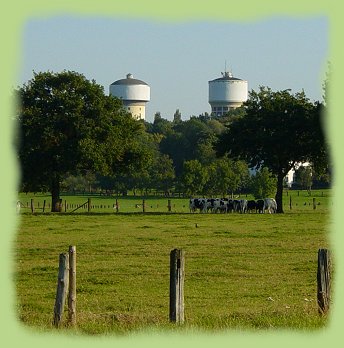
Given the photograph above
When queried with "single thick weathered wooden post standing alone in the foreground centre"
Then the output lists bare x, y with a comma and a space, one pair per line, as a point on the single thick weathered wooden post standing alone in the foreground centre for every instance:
177, 257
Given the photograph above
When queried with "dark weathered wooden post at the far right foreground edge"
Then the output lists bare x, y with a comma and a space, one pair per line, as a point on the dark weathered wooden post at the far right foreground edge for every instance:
324, 281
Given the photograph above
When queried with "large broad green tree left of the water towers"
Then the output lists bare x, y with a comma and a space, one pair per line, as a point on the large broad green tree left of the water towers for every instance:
67, 126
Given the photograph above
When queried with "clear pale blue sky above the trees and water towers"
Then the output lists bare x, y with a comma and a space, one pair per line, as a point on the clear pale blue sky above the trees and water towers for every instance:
177, 59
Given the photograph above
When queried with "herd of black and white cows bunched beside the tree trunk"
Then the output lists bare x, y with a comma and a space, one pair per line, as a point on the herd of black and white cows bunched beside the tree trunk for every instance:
226, 205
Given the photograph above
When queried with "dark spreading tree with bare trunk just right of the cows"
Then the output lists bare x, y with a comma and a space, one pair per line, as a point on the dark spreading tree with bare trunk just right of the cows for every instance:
278, 130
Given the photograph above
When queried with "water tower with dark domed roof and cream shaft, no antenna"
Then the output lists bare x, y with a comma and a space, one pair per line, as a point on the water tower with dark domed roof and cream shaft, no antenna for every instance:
134, 94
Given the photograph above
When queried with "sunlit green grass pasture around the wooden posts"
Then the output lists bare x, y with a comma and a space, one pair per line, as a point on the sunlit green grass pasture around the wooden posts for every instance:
249, 271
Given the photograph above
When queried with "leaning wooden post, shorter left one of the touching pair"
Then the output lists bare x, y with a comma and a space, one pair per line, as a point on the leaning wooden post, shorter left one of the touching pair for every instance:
62, 286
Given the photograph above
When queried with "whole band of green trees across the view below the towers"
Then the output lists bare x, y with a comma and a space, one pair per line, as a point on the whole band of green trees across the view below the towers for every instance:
72, 137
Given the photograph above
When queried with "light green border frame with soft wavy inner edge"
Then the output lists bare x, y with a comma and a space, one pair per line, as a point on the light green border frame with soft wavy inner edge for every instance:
14, 16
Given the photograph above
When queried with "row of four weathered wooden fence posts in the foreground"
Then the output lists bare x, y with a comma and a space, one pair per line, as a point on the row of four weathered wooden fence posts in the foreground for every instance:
66, 285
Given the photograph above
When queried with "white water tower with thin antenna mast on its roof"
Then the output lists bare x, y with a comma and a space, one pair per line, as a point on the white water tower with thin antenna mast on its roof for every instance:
226, 93
